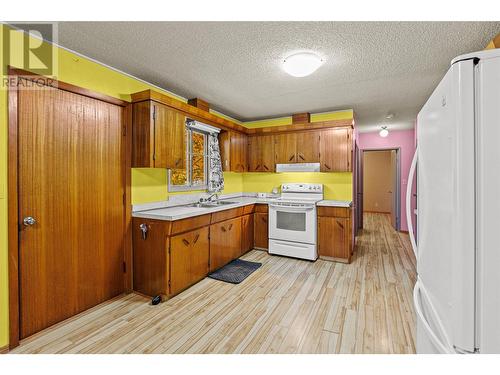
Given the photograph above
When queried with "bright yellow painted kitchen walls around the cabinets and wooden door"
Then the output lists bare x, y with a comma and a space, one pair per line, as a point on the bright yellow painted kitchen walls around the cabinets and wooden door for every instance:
147, 184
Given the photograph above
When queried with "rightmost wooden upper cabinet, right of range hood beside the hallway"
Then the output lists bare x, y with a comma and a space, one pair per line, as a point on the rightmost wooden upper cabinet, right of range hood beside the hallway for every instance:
336, 150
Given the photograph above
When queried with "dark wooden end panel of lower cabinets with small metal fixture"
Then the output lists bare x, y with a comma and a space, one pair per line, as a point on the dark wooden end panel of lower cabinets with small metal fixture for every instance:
150, 256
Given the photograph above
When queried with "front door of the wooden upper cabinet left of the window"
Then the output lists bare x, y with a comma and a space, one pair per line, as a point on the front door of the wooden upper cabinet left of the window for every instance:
170, 138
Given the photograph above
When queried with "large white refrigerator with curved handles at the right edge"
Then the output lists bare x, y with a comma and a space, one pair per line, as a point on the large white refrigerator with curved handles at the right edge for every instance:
457, 163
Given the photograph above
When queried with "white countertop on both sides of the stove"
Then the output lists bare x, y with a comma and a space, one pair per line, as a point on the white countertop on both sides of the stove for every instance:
183, 211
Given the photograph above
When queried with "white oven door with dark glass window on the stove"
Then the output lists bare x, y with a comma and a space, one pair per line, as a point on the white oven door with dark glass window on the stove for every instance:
293, 223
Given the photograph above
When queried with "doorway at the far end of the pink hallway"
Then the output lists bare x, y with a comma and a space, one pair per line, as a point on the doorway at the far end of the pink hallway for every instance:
381, 182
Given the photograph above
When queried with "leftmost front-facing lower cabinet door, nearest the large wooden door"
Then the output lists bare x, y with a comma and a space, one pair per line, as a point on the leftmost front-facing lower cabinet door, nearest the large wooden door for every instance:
180, 262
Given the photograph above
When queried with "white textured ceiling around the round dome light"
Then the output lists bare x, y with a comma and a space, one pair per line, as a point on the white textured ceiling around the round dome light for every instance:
373, 67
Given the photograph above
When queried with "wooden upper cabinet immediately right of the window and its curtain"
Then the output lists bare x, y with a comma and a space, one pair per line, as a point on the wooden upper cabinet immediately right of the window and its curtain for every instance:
234, 151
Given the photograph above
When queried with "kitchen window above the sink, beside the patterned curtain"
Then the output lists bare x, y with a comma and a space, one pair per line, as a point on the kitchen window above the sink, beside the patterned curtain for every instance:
194, 175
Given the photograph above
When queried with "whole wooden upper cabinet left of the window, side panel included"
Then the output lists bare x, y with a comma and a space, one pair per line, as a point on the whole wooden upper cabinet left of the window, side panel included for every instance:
158, 136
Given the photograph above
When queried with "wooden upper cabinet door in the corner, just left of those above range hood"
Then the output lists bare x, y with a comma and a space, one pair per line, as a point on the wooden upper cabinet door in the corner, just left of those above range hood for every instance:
261, 153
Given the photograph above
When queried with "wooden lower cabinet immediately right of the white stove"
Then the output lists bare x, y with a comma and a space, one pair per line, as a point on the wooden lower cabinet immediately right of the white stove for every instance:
334, 235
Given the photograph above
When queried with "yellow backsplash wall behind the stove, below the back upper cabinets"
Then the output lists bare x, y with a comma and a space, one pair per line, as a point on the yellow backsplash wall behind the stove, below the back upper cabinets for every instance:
337, 186
